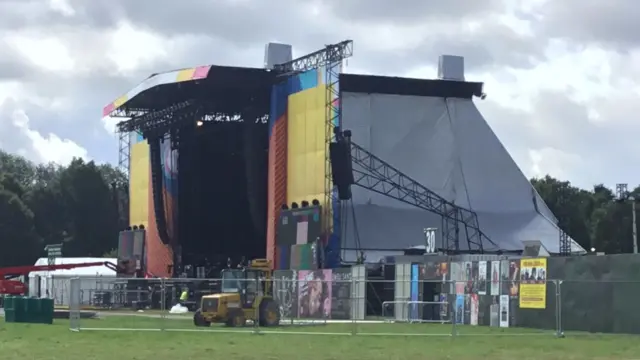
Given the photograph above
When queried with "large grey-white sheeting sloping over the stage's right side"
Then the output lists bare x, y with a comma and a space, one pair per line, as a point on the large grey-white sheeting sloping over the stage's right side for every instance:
446, 145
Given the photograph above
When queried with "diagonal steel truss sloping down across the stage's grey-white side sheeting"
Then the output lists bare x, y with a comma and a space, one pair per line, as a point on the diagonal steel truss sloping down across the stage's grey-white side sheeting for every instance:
372, 173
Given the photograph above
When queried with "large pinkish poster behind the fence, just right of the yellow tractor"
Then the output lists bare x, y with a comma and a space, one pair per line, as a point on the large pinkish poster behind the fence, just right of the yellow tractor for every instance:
314, 294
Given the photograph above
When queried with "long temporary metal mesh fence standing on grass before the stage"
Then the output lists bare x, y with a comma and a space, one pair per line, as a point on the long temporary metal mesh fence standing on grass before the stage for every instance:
319, 302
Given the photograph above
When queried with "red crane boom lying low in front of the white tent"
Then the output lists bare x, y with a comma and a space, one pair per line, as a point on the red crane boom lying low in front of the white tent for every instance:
16, 287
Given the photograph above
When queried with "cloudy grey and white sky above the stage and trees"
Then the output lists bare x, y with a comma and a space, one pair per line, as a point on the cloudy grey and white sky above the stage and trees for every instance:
562, 77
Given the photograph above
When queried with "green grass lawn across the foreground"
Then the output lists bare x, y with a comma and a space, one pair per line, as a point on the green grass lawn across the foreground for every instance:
56, 342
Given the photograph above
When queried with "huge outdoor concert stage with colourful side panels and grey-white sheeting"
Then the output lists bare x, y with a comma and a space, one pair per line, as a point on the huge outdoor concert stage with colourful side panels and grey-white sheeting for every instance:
248, 140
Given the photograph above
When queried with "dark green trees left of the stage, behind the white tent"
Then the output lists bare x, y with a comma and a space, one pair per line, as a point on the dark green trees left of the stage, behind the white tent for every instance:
82, 205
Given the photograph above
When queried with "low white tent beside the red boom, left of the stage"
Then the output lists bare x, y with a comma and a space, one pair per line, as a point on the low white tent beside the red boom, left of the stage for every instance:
56, 283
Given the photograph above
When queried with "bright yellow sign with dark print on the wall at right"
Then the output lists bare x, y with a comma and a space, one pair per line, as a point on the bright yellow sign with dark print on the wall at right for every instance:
533, 283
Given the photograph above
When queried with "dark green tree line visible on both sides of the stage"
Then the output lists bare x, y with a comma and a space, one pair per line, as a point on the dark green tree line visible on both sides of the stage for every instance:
84, 205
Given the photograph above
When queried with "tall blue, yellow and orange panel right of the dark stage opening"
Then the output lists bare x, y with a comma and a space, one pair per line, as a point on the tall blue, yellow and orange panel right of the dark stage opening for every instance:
297, 149
